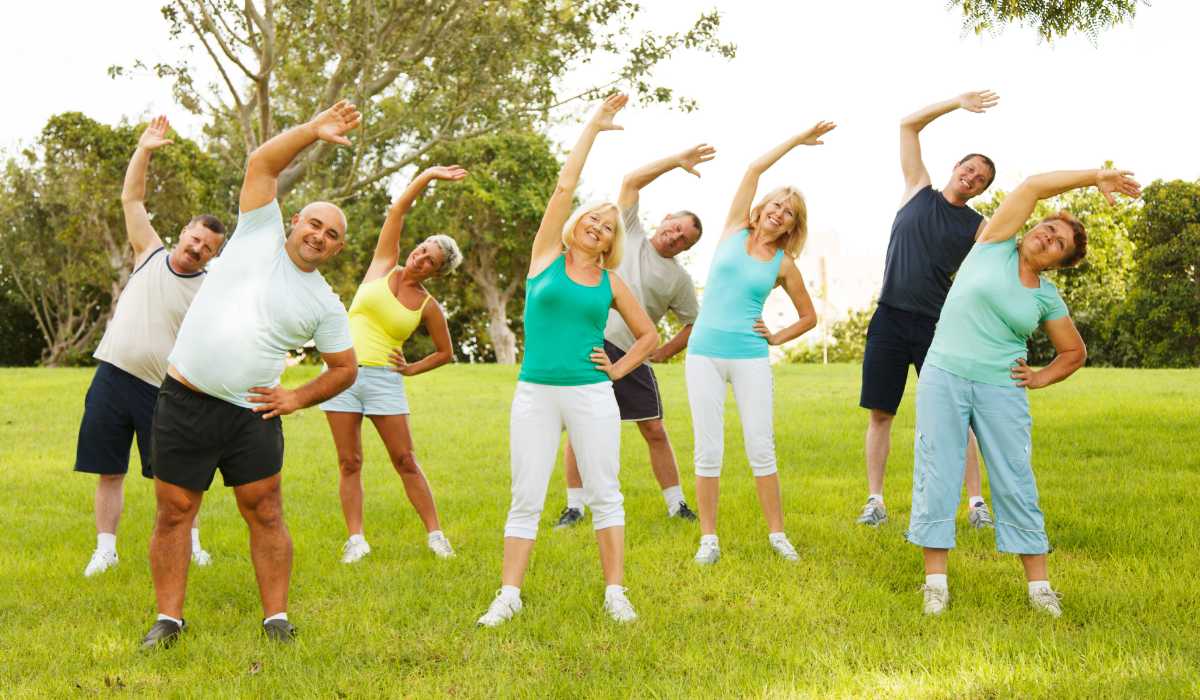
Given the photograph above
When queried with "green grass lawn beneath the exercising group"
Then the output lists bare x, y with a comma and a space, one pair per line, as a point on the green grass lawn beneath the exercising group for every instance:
1118, 459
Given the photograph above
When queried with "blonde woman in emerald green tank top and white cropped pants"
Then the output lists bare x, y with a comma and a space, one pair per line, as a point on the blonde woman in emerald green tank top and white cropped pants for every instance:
567, 379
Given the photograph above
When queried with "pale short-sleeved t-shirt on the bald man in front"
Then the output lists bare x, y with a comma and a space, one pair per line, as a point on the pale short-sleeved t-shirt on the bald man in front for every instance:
255, 307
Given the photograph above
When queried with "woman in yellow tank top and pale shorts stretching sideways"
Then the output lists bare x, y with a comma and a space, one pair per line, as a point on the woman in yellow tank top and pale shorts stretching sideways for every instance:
388, 307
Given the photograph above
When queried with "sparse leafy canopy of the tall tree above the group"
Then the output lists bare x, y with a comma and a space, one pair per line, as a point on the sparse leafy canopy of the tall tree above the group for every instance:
424, 73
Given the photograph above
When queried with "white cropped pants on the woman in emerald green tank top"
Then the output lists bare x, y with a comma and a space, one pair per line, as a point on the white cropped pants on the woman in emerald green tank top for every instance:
592, 421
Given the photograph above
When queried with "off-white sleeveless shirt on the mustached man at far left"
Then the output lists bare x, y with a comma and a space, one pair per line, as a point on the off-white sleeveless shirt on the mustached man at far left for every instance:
147, 320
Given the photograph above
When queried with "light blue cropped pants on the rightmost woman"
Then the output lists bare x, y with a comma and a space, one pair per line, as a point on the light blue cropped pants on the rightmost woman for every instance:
1000, 416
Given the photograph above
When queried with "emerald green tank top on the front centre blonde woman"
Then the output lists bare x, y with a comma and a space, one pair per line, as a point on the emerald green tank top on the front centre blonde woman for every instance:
563, 322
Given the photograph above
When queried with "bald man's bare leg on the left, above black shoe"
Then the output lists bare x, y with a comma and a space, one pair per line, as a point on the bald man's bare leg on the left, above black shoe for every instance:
171, 546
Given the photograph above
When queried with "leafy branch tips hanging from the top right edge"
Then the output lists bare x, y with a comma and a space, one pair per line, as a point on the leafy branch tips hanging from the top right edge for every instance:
1052, 19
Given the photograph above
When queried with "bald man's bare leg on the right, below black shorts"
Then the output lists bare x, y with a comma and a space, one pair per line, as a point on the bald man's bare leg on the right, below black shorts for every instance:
271, 545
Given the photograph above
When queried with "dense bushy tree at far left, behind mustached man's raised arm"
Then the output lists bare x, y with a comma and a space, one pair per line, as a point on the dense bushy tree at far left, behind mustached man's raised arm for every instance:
67, 255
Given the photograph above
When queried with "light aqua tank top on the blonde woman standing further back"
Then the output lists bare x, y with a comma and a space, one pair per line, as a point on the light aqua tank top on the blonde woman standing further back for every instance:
737, 289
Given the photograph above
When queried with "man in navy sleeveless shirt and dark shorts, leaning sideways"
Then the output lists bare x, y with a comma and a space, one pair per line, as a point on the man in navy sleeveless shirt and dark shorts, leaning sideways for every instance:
932, 235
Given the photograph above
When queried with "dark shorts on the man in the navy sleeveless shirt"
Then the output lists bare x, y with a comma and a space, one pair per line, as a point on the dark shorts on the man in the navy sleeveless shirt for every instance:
896, 339
